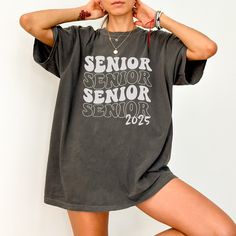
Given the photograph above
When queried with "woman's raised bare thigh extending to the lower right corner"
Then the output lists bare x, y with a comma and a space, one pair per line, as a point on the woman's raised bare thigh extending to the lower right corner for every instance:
184, 208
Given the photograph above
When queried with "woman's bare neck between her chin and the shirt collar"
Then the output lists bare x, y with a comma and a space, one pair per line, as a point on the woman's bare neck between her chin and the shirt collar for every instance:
120, 23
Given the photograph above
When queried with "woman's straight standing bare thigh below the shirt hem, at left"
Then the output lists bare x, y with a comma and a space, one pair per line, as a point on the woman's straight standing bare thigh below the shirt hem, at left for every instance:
89, 223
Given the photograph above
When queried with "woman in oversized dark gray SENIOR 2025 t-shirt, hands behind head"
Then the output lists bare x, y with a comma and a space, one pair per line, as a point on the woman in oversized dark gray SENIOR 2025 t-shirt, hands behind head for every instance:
112, 128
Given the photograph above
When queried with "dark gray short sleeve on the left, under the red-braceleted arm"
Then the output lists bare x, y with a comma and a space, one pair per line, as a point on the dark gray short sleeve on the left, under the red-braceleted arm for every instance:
57, 58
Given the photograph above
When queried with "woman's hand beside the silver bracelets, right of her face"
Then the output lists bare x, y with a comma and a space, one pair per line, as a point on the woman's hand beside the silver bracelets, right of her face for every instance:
144, 14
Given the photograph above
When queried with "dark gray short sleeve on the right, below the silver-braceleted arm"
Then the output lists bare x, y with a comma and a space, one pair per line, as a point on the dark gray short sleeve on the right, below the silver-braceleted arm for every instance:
181, 71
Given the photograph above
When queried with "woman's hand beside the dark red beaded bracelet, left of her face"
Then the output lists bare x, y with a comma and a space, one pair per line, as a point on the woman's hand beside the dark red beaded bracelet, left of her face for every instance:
93, 7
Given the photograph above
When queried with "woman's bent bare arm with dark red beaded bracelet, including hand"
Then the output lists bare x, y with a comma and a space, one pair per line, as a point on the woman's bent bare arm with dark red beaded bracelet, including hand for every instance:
40, 23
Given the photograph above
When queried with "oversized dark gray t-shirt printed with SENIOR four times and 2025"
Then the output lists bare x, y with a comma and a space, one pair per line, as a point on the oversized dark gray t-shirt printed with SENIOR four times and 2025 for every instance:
112, 129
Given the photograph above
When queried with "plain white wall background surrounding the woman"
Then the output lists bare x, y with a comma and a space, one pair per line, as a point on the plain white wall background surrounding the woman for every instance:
204, 115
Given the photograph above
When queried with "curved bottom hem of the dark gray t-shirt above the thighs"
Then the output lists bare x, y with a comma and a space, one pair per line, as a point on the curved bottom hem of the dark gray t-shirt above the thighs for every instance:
162, 181
